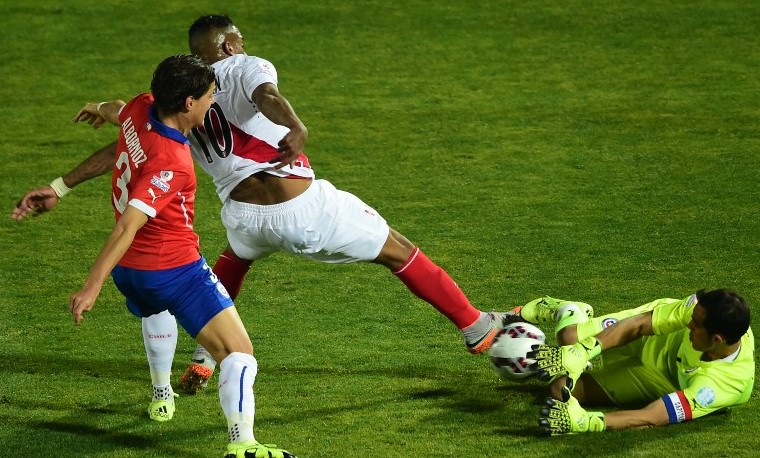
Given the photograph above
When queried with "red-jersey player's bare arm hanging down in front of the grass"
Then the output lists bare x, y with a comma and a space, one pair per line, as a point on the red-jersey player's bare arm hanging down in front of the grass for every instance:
113, 250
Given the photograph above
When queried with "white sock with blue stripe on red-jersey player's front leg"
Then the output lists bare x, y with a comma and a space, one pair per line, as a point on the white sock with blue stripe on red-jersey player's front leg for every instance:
237, 372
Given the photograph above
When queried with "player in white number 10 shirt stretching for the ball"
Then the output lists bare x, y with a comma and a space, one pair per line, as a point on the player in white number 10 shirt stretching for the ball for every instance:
251, 144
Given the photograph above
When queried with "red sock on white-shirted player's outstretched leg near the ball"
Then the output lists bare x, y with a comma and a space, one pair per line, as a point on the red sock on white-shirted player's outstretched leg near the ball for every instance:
432, 284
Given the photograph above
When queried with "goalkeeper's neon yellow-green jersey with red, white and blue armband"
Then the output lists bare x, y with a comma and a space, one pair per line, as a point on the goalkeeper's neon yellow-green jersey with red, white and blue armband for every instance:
705, 386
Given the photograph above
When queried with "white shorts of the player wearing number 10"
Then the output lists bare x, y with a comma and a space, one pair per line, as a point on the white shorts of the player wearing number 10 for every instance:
323, 224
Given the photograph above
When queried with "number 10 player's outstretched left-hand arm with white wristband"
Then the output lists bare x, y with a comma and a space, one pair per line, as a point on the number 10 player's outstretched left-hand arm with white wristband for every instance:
40, 200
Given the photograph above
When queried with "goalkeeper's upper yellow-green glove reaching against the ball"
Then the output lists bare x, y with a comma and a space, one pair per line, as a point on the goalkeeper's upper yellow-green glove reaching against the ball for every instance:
569, 360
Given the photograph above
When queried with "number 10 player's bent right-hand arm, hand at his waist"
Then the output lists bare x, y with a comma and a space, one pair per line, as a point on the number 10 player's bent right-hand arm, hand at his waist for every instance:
274, 106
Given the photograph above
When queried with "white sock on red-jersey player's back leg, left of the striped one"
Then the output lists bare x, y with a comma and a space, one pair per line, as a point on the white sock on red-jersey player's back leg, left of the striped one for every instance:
160, 338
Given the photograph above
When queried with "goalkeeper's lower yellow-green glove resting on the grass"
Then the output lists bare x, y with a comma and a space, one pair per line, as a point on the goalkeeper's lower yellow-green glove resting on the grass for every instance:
568, 417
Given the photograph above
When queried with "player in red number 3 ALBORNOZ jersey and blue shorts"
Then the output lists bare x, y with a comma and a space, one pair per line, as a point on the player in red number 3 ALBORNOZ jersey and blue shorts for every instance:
152, 252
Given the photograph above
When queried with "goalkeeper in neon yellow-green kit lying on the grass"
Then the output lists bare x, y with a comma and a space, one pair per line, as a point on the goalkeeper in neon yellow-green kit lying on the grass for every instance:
675, 359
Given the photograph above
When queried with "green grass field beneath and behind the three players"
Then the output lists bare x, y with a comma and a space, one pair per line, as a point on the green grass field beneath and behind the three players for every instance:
599, 151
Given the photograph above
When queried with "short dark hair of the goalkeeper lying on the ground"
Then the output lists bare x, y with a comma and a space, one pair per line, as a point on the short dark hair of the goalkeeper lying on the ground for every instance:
727, 313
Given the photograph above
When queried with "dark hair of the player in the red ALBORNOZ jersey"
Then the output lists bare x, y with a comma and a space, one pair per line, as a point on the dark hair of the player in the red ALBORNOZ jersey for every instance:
178, 77
